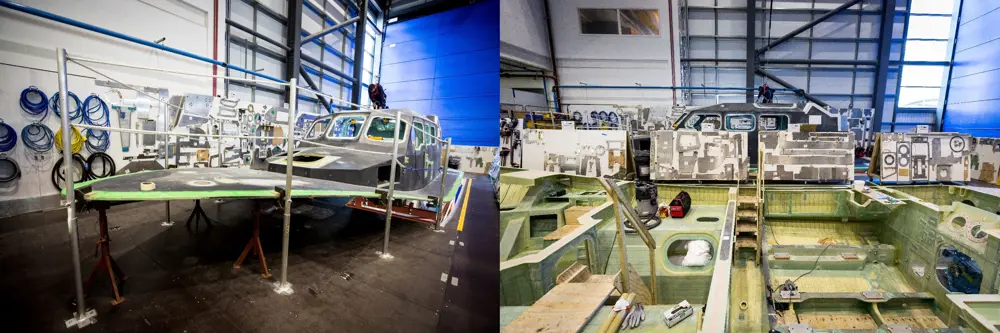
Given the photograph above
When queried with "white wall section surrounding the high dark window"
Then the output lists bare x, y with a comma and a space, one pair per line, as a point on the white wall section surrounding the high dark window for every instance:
613, 60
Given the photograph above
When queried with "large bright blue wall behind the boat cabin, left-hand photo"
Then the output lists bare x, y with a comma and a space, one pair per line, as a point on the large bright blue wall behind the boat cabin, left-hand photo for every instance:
448, 64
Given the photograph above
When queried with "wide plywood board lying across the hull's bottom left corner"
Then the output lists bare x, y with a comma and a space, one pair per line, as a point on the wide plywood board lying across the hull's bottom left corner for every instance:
565, 308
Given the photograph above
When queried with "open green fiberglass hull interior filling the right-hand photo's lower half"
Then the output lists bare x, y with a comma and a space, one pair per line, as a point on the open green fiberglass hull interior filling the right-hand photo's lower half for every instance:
836, 243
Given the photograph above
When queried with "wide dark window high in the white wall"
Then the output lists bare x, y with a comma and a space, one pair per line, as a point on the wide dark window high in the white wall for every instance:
635, 22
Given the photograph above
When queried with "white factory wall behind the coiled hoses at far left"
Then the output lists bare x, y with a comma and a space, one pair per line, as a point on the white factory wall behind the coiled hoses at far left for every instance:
27, 58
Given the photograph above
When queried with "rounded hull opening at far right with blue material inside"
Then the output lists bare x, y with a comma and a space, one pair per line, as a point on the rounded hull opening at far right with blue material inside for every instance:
957, 272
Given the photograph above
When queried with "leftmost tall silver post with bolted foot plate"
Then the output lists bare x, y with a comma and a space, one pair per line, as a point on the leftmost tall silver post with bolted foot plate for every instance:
82, 317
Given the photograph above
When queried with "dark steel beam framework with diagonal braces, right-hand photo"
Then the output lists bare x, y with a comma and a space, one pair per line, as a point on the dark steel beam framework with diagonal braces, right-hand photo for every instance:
757, 63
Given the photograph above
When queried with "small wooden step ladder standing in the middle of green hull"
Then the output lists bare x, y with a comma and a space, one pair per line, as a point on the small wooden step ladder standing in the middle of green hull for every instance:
750, 214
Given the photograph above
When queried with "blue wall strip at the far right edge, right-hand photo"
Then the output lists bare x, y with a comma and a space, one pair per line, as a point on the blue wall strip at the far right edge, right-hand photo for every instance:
974, 88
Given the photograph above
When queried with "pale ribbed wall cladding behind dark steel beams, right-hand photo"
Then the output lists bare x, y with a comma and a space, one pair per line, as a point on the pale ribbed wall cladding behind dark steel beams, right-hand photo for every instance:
717, 30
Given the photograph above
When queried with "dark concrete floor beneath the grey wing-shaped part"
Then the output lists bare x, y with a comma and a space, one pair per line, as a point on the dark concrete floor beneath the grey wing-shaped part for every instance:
182, 280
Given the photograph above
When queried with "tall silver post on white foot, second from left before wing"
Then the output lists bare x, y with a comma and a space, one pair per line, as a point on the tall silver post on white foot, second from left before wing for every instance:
282, 286
